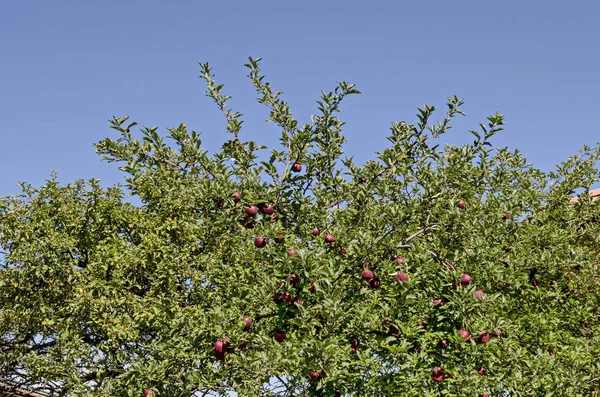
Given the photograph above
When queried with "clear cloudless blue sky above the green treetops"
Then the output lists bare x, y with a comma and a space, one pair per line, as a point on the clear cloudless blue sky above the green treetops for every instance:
67, 66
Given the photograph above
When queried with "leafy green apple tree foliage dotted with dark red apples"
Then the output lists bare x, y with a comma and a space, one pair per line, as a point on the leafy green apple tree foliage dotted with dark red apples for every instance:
429, 271
